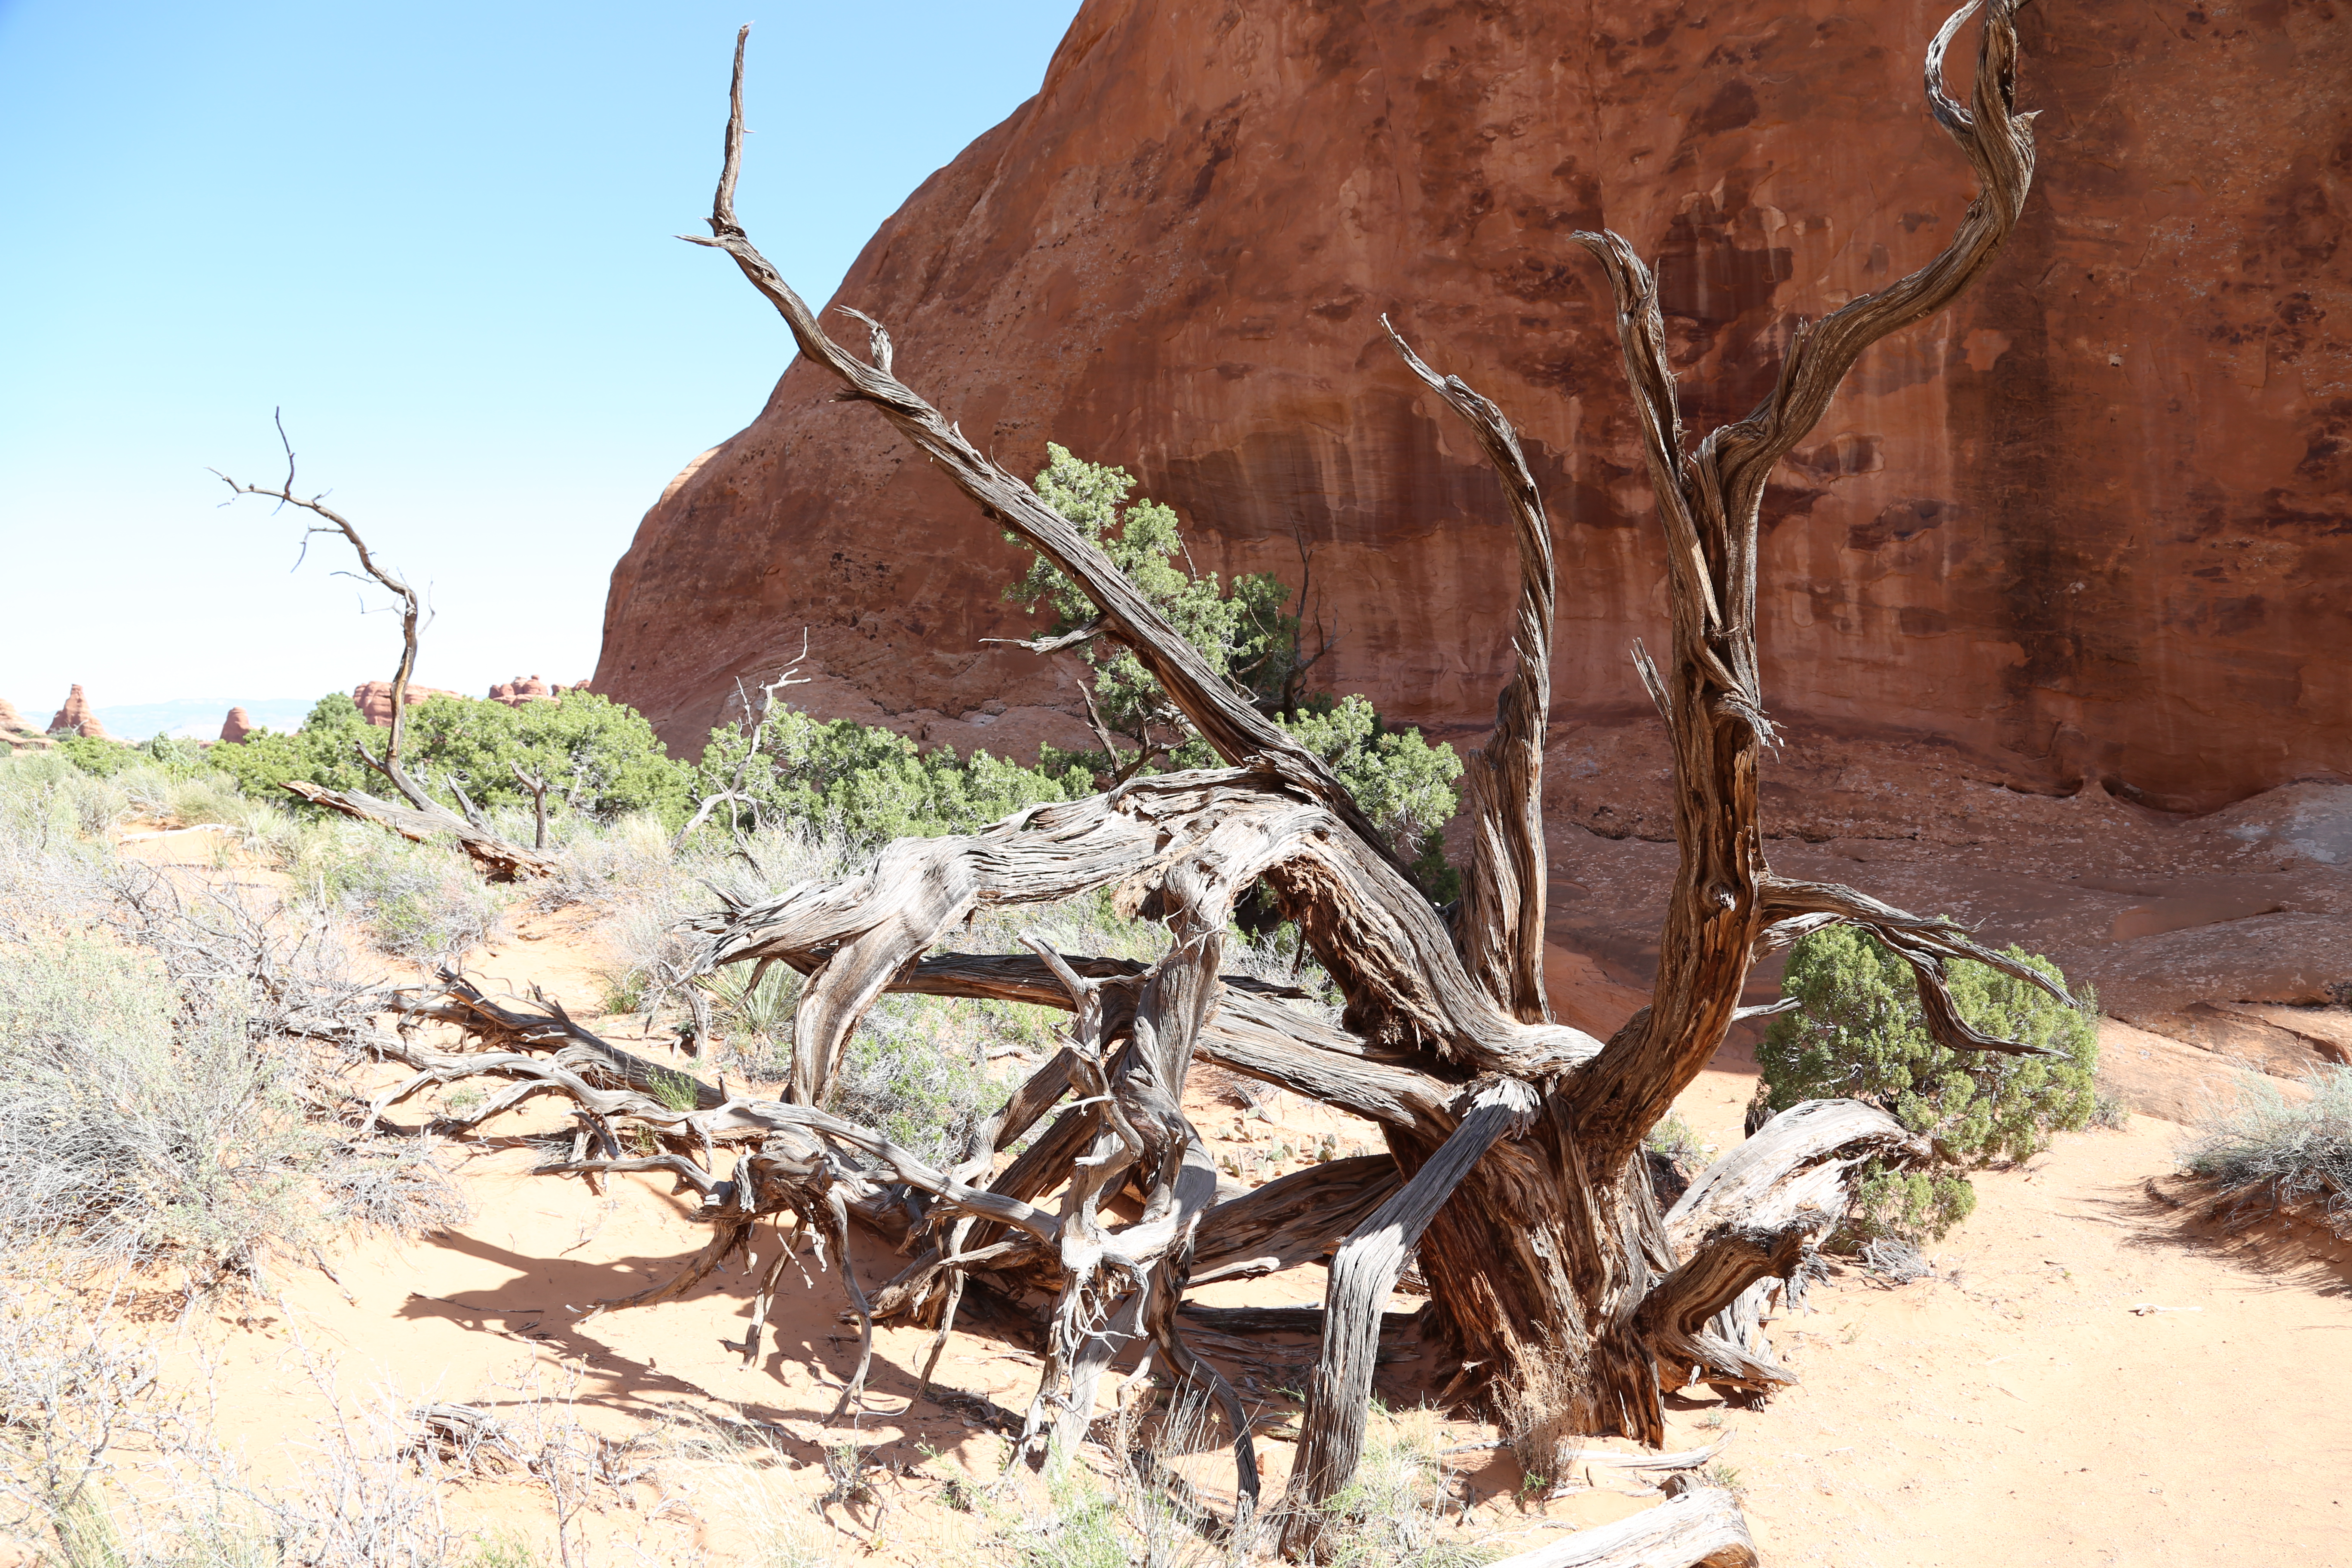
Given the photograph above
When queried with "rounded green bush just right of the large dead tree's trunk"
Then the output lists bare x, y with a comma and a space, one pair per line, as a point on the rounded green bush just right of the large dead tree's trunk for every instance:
1859, 1033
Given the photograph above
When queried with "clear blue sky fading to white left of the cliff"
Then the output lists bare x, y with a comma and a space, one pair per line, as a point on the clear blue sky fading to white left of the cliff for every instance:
441, 239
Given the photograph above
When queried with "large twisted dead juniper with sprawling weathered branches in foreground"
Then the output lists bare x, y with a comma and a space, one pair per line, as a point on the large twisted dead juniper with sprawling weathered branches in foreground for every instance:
1514, 1141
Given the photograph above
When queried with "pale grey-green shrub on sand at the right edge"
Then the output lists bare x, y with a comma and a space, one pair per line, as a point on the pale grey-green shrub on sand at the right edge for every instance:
2269, 1153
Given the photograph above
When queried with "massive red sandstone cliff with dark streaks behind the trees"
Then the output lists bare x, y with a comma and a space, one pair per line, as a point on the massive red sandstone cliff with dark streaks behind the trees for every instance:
2092, 523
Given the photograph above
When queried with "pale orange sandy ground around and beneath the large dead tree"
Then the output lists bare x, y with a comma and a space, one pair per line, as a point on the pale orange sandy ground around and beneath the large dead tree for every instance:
2090, 1376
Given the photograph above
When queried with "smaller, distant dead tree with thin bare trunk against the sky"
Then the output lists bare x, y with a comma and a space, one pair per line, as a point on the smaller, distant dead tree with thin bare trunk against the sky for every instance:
417, 815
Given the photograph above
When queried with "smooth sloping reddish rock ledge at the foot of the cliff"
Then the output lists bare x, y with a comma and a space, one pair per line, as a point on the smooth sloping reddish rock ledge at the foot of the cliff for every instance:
2229, 937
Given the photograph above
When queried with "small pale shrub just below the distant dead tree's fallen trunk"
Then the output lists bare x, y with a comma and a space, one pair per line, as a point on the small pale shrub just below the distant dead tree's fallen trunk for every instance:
420, 902
